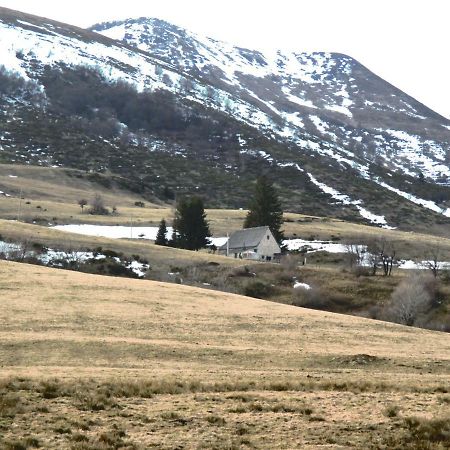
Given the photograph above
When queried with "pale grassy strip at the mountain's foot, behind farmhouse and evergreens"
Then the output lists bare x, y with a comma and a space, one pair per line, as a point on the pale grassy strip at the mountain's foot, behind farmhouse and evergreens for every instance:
51, 195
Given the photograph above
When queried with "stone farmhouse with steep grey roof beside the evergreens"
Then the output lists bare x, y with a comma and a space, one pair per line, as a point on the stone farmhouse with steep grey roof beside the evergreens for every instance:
252, 243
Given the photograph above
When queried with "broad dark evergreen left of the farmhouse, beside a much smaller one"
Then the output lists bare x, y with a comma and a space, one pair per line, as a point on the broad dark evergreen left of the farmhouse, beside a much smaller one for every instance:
190, 225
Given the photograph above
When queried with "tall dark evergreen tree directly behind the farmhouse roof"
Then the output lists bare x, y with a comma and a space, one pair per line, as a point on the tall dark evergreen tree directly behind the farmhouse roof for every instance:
265, 208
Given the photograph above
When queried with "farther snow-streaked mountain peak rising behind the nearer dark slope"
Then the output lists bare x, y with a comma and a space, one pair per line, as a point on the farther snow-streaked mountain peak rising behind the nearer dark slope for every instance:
331, 96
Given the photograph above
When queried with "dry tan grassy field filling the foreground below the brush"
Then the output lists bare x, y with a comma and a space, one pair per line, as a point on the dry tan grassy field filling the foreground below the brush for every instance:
91, 362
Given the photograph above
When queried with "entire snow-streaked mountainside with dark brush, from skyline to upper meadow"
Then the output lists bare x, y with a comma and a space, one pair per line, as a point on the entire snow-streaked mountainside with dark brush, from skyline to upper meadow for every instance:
198, 115
